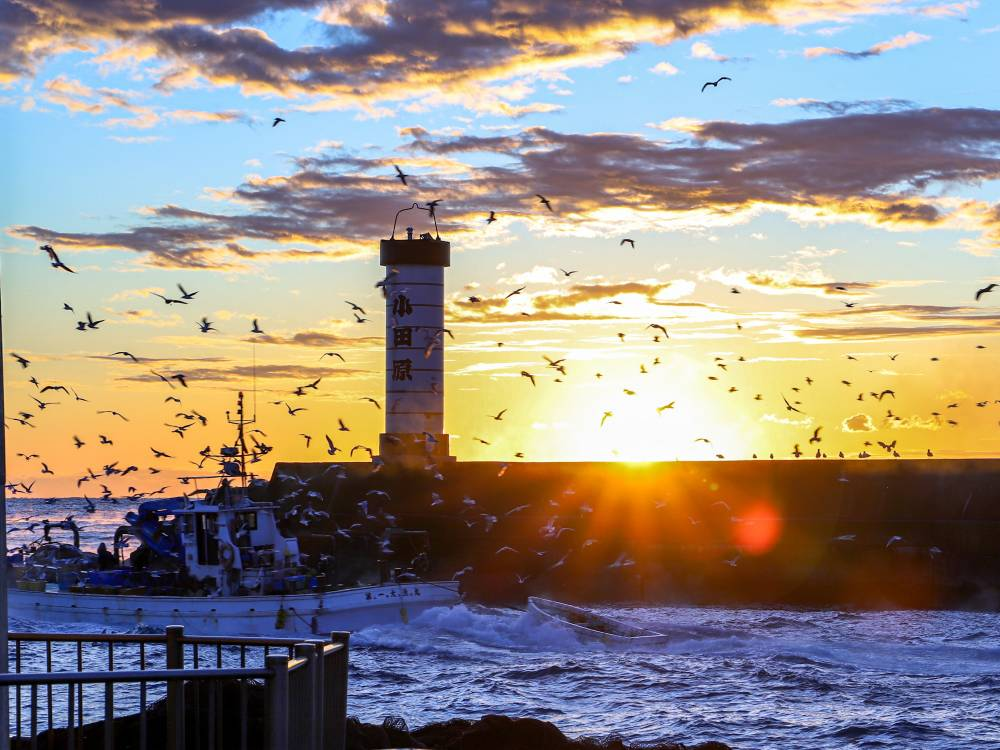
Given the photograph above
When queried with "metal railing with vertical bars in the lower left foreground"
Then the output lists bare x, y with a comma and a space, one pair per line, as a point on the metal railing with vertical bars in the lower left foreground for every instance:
299, 686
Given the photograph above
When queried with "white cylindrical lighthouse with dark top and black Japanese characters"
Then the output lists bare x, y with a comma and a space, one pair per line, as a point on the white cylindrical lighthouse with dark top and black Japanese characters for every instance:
414, 347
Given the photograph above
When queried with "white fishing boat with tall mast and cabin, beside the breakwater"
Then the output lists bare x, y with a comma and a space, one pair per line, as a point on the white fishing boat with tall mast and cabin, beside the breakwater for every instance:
219, 564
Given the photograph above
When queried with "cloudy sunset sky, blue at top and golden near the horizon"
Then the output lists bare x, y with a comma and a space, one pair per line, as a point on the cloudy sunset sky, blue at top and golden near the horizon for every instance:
811, 233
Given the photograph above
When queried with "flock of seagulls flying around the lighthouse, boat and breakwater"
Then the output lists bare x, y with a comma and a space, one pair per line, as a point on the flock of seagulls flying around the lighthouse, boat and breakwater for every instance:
374, 508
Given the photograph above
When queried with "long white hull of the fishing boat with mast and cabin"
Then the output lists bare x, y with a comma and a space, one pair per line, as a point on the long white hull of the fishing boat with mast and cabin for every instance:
293, 614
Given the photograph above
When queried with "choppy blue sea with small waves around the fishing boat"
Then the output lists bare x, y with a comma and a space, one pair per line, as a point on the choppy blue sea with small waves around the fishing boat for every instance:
748, 677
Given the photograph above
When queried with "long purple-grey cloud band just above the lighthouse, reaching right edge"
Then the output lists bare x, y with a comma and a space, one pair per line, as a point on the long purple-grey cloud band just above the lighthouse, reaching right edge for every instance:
882, 169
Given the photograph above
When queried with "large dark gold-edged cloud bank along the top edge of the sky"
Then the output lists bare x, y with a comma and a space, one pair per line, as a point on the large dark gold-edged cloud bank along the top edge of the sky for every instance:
391, 50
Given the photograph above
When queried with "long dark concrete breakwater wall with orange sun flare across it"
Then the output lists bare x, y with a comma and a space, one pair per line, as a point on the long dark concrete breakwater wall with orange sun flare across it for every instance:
913, 533
